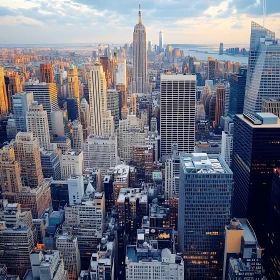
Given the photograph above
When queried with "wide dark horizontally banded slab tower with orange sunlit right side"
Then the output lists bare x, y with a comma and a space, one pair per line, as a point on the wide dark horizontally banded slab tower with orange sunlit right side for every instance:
45, 94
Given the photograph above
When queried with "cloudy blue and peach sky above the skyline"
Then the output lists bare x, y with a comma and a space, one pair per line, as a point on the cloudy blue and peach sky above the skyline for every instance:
112, 21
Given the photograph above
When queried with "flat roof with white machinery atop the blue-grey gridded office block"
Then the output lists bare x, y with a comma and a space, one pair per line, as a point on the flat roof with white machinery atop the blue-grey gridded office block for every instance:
204, 164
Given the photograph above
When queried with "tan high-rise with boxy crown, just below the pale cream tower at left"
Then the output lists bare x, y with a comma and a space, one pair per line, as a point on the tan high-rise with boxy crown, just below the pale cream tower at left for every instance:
27, 151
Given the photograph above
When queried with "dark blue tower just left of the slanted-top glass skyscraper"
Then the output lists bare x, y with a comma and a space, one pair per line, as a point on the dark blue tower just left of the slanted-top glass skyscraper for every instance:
237, 93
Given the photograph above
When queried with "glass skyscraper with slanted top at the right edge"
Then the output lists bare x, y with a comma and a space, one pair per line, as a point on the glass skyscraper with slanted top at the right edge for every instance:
264, 58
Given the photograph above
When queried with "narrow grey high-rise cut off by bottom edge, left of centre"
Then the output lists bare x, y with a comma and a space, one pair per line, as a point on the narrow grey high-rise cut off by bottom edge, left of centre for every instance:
67, 245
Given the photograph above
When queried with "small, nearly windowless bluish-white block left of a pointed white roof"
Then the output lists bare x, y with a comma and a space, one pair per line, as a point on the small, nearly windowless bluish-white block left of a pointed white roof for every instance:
75, 189
